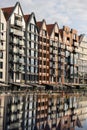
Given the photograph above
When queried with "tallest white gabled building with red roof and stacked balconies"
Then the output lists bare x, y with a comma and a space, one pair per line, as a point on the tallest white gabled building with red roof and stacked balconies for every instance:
15, 26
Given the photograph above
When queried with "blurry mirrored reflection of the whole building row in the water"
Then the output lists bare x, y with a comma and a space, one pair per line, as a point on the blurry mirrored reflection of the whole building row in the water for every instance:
43, 111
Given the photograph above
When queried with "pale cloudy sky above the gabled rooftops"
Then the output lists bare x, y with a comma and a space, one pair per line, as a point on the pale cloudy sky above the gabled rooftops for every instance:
72, 13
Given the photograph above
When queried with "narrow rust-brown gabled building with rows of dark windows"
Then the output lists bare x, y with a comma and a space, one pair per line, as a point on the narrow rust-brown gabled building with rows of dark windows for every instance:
43, 54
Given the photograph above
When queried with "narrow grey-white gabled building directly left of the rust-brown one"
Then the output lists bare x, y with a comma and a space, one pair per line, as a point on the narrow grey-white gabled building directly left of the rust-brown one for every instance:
31, 49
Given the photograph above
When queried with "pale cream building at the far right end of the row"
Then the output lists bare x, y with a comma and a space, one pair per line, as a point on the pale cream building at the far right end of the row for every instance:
82, 60
